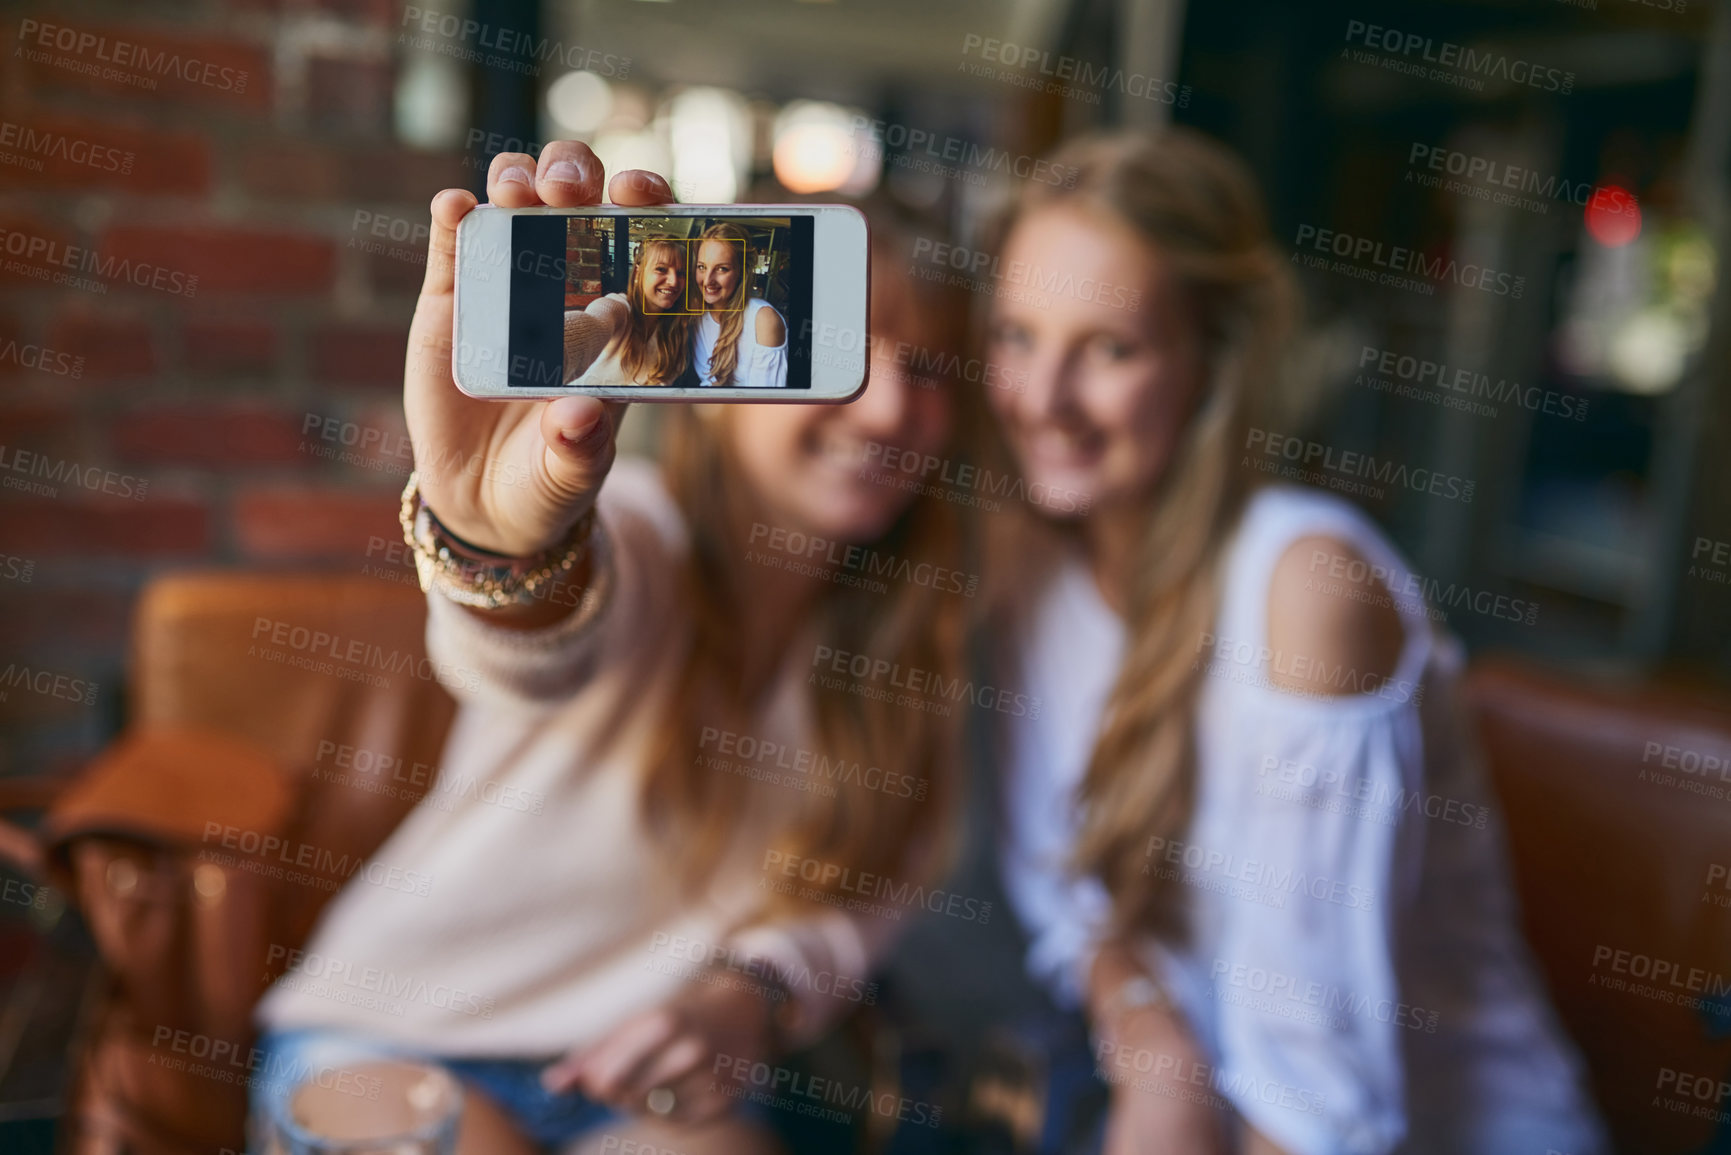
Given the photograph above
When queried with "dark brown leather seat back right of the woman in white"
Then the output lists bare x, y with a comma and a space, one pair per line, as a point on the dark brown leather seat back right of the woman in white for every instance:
1614, 849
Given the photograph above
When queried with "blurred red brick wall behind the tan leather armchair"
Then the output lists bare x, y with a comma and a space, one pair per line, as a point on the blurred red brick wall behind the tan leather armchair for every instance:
207, 273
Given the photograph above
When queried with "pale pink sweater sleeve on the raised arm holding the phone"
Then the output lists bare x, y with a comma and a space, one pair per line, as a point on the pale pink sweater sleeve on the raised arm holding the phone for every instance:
638, 550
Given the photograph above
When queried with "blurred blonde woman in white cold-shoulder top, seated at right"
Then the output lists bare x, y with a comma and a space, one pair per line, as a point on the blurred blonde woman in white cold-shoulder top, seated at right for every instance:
1245, 836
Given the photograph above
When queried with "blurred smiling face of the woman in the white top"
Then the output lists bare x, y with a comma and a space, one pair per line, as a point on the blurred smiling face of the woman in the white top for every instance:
1109, 389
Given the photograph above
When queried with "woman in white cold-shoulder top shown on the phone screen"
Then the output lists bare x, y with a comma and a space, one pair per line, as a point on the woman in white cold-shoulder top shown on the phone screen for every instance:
742, 340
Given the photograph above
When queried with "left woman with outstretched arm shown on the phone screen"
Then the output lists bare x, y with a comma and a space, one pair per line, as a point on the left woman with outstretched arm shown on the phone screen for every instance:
640, 337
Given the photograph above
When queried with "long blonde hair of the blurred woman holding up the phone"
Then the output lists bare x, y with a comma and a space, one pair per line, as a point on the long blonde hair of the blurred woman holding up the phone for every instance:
882, 834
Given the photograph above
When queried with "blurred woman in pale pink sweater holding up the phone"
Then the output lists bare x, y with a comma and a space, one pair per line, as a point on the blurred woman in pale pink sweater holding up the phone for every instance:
614, 955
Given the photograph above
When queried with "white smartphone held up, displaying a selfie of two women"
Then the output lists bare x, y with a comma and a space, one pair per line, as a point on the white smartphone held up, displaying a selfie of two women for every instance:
664, 304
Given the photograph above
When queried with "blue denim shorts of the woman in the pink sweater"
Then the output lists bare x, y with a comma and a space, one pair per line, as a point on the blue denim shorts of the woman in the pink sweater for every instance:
292, 1057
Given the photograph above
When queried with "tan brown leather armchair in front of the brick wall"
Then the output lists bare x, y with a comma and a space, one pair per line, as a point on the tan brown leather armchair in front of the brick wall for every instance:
245, 695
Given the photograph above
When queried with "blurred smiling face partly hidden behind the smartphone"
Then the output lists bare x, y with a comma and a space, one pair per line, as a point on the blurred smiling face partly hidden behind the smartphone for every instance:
820, 468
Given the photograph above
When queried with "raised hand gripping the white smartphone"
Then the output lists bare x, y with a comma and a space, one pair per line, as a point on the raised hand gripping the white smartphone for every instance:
510, 477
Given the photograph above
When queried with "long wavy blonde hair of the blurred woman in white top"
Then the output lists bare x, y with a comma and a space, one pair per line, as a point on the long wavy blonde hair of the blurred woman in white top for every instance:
1199, 209
